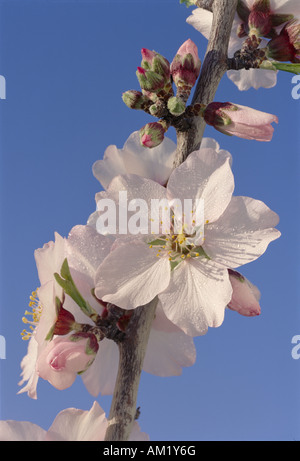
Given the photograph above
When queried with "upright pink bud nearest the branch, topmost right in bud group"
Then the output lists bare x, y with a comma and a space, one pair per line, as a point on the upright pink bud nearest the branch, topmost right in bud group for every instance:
185, 67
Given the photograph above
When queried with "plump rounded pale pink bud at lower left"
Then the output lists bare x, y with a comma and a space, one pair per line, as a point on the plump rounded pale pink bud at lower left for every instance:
64, 357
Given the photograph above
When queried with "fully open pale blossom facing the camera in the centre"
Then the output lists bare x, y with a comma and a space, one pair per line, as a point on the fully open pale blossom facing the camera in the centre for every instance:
187, 270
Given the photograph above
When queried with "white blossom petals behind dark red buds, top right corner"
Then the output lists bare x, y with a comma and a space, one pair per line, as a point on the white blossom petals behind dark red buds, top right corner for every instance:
244, 79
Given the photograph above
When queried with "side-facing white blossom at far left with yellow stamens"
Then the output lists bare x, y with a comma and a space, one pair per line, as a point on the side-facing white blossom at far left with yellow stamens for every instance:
85, 249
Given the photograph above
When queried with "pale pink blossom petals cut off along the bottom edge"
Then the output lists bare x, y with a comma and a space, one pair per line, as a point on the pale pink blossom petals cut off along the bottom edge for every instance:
69, 425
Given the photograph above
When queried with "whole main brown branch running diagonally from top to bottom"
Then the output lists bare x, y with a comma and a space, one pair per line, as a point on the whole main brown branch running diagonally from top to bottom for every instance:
133, 347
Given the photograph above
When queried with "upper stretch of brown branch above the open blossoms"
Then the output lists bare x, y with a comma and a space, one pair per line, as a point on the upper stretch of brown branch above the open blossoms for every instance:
214, 67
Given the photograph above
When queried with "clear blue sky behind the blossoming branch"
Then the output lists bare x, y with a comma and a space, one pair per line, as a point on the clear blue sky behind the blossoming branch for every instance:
66, 64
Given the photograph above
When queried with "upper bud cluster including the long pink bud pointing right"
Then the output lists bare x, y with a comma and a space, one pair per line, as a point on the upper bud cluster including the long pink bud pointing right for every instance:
157, 98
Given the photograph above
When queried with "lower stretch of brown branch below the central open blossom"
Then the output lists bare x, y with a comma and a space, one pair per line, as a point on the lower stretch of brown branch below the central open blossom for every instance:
132, 352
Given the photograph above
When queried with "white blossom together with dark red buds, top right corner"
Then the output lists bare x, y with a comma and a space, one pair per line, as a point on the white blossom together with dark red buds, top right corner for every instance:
264, 34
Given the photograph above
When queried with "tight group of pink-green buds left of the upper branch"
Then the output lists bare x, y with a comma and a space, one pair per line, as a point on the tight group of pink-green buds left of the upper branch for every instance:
155, 76
